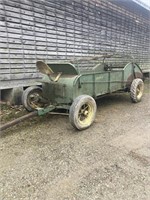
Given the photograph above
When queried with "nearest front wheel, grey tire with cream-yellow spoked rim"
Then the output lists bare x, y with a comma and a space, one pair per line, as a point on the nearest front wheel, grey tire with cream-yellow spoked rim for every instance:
82, 112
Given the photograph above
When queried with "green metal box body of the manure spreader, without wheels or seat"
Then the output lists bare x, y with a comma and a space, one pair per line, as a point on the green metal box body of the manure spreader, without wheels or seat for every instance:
73, 82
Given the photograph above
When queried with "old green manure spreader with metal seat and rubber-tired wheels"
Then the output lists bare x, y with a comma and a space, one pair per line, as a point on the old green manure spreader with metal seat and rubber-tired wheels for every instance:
75, 85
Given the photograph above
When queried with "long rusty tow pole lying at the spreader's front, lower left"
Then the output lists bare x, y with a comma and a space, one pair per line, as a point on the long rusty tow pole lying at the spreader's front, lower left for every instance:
17, 121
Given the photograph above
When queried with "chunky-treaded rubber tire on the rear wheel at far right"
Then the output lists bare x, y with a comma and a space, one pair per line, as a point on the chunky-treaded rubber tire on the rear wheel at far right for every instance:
136, 83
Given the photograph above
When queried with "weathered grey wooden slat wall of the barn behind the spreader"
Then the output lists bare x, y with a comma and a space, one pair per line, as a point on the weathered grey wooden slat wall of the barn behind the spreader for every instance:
62, 29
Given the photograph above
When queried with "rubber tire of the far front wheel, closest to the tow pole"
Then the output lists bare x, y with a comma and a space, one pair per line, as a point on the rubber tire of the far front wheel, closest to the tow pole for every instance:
25, 96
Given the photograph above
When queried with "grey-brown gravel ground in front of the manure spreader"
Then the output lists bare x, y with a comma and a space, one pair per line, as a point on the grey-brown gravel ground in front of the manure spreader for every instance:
45, 158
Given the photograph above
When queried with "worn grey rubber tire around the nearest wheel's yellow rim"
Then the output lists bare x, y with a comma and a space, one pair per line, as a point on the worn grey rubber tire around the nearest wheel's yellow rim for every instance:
75, 108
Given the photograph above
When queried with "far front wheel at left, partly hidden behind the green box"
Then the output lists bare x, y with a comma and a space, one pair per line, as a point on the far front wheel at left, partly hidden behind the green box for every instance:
31, 98
